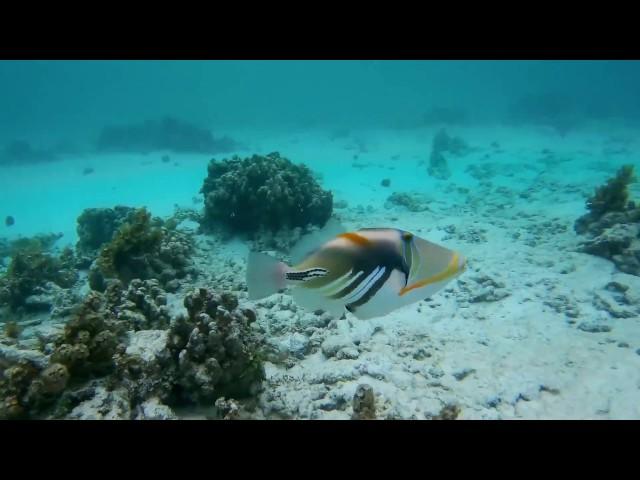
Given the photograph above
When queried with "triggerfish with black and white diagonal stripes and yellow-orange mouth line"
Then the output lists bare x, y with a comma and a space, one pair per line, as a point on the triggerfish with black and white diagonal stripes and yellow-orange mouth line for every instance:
370, 272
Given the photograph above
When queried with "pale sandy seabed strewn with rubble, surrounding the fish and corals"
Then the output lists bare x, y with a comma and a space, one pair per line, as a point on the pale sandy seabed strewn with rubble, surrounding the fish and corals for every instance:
532, 330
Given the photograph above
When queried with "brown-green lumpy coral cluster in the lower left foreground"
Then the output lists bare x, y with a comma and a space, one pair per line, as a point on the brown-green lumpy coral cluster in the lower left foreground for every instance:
122, 356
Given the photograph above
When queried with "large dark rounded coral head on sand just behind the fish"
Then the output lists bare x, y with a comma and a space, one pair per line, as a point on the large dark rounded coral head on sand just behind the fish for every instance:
270, 192
